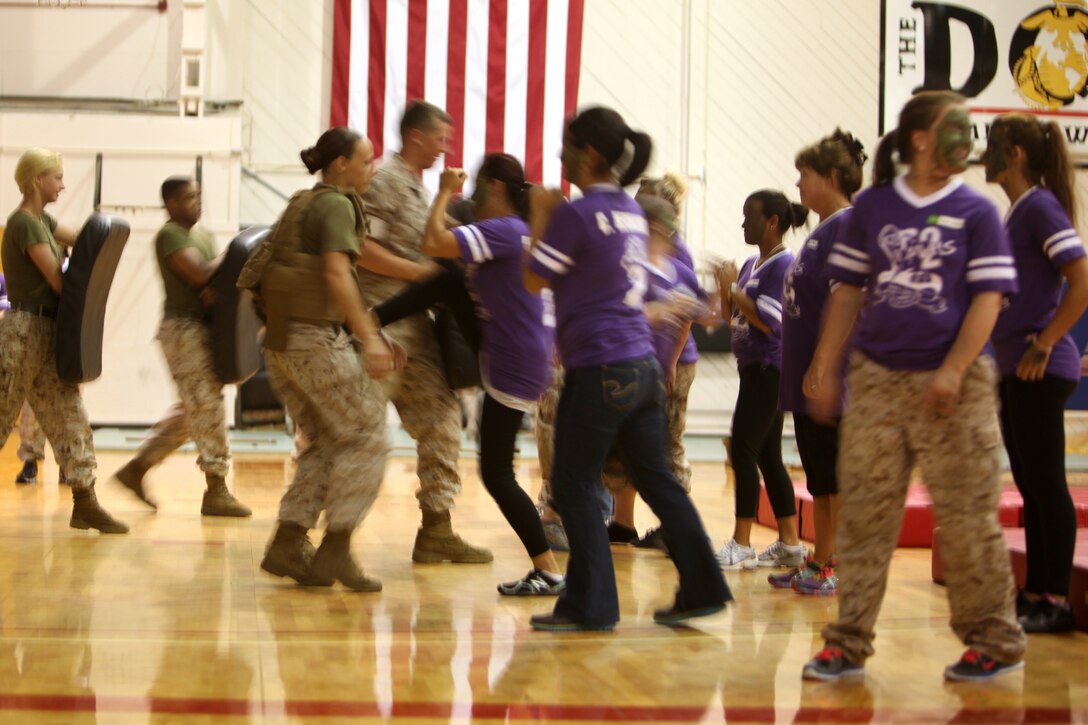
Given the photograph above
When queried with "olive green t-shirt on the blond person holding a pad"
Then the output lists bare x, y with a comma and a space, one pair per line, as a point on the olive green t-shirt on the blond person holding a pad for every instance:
27, 286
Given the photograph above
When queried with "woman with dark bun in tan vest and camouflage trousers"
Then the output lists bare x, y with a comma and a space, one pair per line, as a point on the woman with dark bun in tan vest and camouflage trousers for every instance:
310, 293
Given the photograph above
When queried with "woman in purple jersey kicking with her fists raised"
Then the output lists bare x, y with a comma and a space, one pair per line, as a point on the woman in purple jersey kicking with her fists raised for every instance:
515, 341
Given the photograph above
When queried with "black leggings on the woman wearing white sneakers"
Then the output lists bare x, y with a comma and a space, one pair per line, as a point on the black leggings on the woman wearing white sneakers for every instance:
758, 445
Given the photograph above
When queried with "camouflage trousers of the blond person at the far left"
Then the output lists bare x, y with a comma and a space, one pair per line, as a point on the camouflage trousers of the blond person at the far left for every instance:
29, 374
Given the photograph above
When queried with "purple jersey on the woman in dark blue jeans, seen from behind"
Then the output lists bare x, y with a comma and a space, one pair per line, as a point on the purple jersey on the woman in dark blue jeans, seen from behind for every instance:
595, 255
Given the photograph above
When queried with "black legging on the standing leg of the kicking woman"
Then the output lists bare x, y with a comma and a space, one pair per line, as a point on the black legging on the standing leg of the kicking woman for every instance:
499, 432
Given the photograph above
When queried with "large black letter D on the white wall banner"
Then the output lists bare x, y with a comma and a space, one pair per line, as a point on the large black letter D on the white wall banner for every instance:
938, 39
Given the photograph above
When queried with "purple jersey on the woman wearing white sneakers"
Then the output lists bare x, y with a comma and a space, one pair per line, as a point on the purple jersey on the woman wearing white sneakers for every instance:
764, 286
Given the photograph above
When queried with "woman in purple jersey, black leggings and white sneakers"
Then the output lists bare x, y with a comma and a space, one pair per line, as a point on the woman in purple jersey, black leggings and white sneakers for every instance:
752, 298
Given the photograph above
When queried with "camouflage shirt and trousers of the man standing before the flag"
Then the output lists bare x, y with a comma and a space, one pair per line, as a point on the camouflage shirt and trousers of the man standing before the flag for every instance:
398, 208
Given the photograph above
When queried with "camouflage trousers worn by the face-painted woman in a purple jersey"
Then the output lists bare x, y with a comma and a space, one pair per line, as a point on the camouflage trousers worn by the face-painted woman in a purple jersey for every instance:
885, 433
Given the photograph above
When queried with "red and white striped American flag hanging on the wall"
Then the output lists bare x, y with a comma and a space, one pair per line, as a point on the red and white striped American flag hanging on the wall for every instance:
505, 70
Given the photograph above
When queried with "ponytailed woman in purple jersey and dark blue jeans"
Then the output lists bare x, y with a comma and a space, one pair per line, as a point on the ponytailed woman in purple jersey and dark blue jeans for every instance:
592, 254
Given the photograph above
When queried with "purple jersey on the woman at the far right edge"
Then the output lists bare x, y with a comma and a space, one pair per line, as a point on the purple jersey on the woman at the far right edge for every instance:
1044, 241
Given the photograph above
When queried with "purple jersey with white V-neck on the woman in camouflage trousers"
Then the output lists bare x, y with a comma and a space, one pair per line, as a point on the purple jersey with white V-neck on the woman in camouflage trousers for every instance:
923, 261
